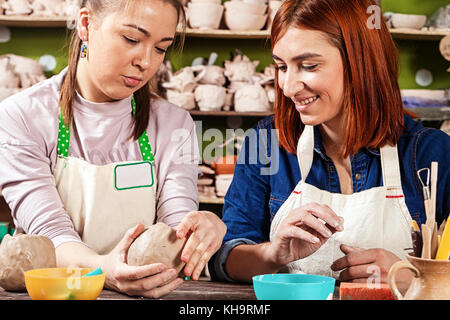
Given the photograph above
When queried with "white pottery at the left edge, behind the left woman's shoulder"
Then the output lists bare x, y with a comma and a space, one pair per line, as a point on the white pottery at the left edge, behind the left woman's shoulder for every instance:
18, 73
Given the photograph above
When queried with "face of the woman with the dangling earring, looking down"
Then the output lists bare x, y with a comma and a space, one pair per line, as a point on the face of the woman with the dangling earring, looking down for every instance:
127, 48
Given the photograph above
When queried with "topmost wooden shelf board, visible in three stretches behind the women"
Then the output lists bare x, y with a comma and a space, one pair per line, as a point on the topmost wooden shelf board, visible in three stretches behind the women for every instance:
36, 21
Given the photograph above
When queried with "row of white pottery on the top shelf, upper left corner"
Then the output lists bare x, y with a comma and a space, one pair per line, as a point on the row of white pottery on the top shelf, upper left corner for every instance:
41, 8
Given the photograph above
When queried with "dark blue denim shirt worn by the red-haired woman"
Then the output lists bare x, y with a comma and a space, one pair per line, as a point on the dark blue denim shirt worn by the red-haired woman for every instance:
263, 180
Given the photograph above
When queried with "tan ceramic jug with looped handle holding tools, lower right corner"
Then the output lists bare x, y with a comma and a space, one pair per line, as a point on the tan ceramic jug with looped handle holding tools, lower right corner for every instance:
431, 280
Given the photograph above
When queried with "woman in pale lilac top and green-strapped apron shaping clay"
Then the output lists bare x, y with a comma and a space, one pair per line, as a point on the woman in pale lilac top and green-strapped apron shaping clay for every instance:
90, 156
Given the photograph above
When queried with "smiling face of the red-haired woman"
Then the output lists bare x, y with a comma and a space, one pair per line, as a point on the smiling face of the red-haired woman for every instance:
311, 74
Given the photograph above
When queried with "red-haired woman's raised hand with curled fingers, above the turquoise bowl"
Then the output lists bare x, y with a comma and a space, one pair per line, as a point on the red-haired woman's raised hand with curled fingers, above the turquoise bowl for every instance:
302, 233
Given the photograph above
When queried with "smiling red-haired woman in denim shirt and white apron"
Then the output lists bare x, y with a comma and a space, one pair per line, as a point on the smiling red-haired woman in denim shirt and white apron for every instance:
340, 191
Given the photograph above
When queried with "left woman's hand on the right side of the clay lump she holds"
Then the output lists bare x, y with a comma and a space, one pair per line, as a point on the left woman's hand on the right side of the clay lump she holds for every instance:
204, 231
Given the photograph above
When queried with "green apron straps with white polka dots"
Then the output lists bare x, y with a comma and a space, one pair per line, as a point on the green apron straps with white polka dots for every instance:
64, 138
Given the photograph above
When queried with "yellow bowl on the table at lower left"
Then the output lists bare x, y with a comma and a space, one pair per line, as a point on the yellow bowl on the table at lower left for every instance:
63, 284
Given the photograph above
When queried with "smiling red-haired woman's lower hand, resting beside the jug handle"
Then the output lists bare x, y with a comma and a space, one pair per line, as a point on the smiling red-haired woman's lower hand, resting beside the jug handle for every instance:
359, 265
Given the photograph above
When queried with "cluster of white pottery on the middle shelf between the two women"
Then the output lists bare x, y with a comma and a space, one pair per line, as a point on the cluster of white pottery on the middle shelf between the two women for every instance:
212, 88
